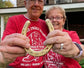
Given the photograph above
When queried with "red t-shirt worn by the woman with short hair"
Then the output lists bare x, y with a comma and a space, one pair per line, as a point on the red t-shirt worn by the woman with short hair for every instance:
54, 60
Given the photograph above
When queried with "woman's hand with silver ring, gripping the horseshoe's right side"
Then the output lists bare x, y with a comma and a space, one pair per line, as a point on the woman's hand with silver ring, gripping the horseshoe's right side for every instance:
62, 43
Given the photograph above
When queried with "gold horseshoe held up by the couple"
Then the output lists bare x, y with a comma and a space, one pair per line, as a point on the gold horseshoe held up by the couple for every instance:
47, 48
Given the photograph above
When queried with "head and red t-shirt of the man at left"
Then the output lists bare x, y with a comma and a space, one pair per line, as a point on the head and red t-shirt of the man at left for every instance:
36, 32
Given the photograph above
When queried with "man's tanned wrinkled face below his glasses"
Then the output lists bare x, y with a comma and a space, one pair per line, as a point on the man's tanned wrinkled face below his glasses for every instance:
34, 10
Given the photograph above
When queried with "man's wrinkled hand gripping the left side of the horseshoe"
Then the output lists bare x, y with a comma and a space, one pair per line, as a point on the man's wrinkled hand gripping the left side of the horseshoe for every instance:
13, 46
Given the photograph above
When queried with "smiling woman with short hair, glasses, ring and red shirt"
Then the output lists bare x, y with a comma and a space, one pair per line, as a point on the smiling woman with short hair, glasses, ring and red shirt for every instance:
66, 44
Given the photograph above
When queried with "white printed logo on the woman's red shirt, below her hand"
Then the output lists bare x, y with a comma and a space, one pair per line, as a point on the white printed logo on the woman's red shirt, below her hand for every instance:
53, 60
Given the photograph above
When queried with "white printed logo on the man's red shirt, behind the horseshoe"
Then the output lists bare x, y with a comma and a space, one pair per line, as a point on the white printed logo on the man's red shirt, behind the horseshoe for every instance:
36, 37
